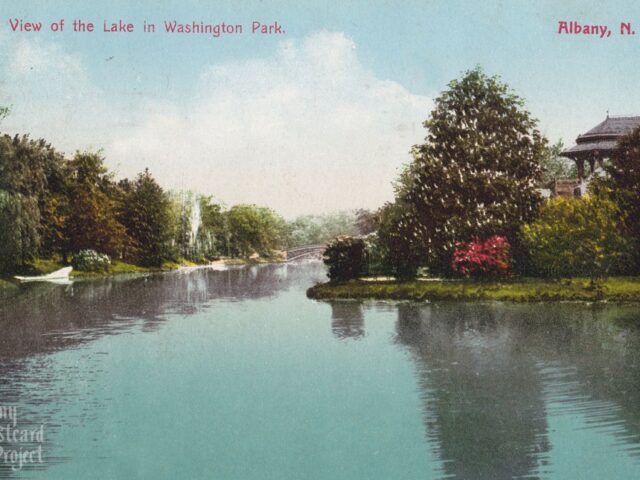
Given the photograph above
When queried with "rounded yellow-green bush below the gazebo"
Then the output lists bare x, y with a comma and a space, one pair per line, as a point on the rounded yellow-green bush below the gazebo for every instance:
577, 236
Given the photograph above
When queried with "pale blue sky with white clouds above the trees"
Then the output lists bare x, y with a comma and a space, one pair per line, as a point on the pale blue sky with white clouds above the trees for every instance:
316, 119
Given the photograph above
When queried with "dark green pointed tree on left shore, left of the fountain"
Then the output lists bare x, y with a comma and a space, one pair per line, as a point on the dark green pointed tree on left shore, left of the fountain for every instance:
147, 218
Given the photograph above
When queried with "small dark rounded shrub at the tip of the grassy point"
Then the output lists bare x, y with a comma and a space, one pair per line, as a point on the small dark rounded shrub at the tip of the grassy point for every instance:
345, 258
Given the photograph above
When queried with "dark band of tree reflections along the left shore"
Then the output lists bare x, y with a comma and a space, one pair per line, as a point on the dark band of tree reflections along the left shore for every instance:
42, 317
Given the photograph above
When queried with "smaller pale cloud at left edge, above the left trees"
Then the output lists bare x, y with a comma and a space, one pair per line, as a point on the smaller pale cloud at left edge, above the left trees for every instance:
52, 96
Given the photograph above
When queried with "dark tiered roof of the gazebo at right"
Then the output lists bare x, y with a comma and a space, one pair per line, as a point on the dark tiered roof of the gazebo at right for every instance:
603, 137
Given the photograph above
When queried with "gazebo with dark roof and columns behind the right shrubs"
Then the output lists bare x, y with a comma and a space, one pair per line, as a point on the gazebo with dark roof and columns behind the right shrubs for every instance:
597, 144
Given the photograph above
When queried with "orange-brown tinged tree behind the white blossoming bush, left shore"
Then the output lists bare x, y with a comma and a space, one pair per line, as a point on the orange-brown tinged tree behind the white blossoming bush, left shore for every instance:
92, 218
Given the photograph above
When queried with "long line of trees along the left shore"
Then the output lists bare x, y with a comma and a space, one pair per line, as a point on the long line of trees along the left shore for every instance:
55, 207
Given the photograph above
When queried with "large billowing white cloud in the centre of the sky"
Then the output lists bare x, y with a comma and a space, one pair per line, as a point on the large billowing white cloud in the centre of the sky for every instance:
309, 129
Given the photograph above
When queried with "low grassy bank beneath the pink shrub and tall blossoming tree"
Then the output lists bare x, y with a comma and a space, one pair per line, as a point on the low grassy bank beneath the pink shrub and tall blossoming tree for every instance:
520, 290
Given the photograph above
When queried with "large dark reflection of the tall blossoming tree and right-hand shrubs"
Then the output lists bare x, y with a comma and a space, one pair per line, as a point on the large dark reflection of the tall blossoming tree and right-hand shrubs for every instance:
488, 372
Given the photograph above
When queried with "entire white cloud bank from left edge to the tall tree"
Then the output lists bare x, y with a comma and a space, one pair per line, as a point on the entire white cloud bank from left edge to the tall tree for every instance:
308, 129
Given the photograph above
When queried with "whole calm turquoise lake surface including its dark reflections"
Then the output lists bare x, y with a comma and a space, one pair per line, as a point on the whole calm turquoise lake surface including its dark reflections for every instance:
237, 375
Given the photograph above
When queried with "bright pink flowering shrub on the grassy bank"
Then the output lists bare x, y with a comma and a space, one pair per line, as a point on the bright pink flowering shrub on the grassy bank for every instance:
478, 258
